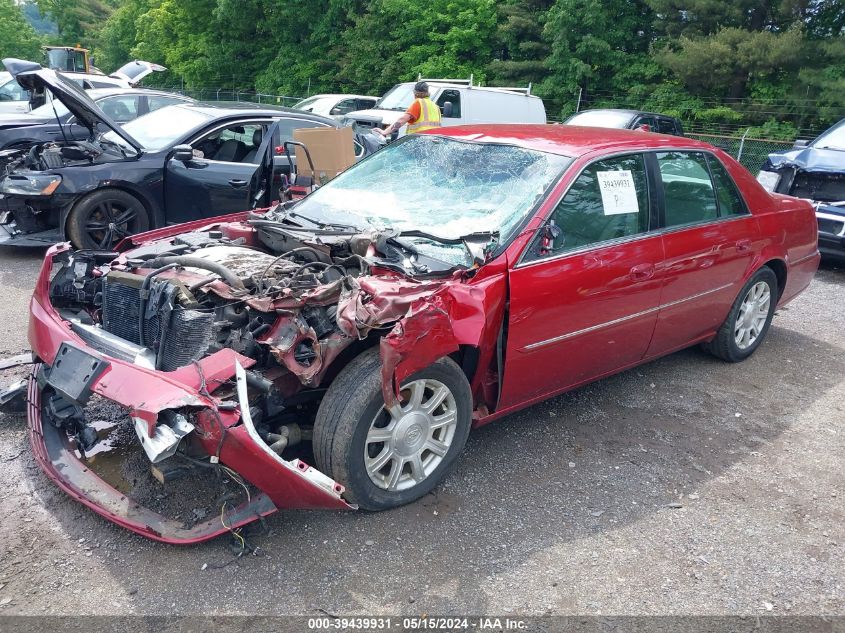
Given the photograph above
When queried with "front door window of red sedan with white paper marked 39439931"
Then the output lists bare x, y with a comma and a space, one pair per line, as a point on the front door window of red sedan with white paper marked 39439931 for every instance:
608, 201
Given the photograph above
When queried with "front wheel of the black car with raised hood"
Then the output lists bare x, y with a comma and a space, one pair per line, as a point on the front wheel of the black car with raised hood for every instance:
103, 218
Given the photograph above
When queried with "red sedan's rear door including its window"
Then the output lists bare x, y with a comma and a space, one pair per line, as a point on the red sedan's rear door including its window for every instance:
709, 241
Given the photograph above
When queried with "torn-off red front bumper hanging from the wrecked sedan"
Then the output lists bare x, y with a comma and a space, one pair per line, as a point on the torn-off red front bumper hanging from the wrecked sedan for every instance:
151, 398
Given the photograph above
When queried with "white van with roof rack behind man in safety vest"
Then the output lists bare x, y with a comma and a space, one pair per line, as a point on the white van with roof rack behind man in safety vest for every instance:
469, 104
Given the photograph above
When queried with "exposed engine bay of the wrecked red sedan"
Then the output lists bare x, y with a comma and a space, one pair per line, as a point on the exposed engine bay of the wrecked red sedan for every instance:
291, 299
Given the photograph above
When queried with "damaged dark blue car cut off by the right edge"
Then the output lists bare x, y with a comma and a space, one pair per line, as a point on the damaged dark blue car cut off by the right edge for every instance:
815, 171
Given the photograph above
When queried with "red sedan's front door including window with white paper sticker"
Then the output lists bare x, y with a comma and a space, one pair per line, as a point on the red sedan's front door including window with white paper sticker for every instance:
586, 305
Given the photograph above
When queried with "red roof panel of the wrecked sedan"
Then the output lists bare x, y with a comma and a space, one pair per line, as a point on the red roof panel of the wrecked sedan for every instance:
567, 140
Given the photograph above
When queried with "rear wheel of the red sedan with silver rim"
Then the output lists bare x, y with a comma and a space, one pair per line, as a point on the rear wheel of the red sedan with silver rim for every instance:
749, 319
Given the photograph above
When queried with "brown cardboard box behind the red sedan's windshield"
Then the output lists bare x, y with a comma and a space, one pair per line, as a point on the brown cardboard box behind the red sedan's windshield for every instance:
332, 150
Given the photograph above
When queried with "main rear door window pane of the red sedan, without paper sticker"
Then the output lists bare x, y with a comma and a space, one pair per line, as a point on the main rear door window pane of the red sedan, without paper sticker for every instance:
687, 189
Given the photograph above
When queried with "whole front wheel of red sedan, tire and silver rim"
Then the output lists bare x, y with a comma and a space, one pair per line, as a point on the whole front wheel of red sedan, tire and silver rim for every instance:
387, 458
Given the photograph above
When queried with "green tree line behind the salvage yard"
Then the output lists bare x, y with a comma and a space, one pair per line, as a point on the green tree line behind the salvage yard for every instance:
777, 64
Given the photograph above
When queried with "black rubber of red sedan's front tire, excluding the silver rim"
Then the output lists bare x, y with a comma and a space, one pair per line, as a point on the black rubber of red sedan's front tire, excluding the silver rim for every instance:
352, 403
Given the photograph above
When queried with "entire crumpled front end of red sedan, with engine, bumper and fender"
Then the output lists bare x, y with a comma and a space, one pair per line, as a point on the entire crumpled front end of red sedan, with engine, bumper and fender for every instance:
216, 345
